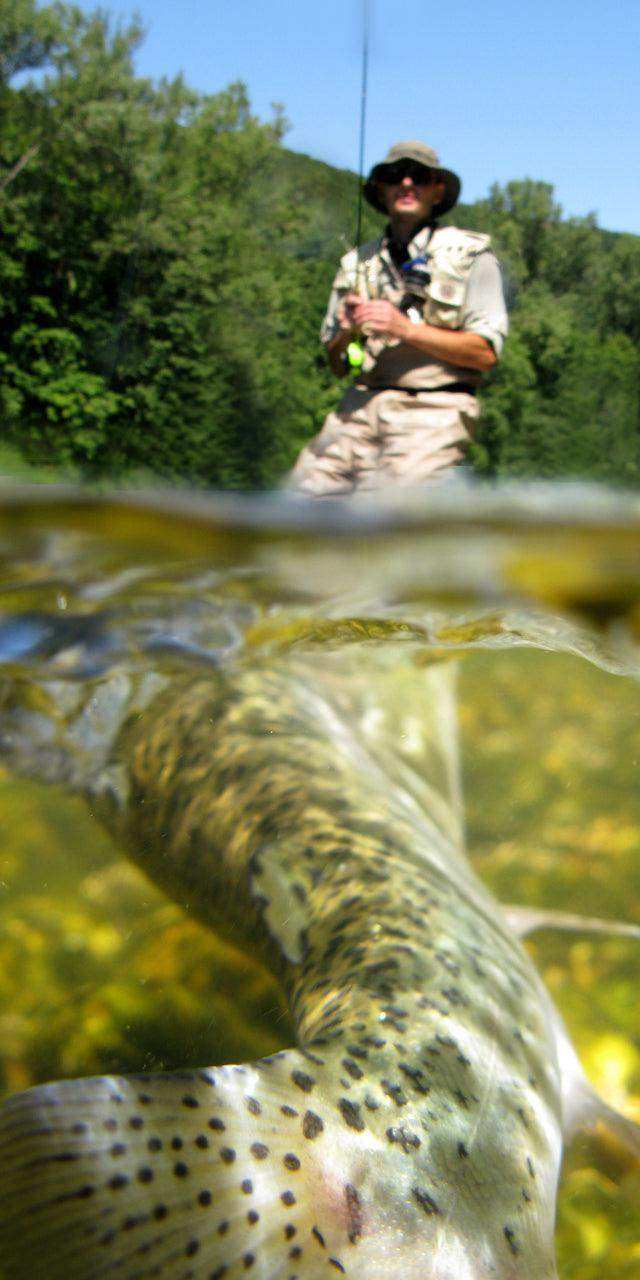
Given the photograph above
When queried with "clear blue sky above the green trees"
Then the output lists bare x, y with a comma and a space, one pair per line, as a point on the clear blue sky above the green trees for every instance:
548, 92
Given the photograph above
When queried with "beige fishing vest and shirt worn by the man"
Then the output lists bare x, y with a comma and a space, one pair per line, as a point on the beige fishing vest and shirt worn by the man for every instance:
465, 294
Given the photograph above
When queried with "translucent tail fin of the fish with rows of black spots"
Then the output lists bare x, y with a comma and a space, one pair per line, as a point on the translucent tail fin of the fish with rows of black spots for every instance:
182, 1174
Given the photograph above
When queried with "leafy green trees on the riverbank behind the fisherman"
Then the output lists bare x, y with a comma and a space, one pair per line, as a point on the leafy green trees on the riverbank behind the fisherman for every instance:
166, 264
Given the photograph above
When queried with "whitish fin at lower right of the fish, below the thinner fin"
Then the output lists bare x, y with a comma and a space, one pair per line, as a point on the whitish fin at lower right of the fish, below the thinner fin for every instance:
583, 1108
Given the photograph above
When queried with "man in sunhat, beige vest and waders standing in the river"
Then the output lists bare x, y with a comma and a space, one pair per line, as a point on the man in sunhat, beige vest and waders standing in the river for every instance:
420, 316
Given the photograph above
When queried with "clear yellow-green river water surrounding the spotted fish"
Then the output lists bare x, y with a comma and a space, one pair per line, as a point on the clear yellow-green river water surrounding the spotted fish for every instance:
533, 593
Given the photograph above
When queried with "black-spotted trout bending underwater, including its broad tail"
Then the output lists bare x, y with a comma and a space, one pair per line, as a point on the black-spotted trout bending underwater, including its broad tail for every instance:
417, 1127
